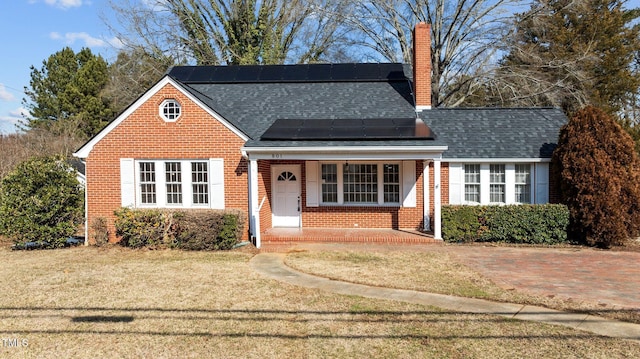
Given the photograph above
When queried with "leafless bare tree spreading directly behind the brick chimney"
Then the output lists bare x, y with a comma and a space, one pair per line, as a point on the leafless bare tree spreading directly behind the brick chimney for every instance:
465, 36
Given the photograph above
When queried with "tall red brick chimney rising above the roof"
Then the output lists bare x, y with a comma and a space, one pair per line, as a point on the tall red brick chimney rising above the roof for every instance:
422, 66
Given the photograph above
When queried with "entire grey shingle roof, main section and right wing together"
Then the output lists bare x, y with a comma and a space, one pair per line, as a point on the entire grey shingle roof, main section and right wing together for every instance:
252, 98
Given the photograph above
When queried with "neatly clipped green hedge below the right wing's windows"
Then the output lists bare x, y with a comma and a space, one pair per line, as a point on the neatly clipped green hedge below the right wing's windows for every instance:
532, 224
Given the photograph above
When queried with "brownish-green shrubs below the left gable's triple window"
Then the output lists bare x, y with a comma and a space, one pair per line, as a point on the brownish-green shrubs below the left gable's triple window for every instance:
190, 230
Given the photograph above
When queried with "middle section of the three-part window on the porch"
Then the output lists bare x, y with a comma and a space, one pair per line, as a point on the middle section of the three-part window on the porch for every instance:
360, 183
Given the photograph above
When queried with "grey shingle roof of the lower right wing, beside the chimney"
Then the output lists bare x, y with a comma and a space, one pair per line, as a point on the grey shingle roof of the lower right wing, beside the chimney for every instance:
496, 132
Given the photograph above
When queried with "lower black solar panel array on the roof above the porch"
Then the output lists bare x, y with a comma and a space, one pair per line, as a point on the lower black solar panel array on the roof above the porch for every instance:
348, 129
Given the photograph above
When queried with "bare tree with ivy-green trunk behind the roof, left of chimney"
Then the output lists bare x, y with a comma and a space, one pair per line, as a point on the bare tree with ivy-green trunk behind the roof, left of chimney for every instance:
234, 31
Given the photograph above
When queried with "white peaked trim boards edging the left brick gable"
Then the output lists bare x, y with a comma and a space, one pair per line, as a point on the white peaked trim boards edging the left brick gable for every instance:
84, 151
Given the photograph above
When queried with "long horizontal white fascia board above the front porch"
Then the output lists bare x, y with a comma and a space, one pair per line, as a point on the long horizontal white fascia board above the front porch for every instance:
344, 152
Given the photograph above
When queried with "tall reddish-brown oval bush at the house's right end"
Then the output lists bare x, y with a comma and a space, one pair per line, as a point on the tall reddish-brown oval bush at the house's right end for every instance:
599, 174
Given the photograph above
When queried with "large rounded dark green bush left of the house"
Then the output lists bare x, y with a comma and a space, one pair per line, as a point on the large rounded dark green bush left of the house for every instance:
41, 201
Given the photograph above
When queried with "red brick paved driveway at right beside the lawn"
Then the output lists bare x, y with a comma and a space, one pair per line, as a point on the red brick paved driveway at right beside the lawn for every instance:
606, 277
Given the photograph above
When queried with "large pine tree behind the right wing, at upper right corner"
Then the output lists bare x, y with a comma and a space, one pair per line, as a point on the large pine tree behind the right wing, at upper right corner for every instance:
569, 54
